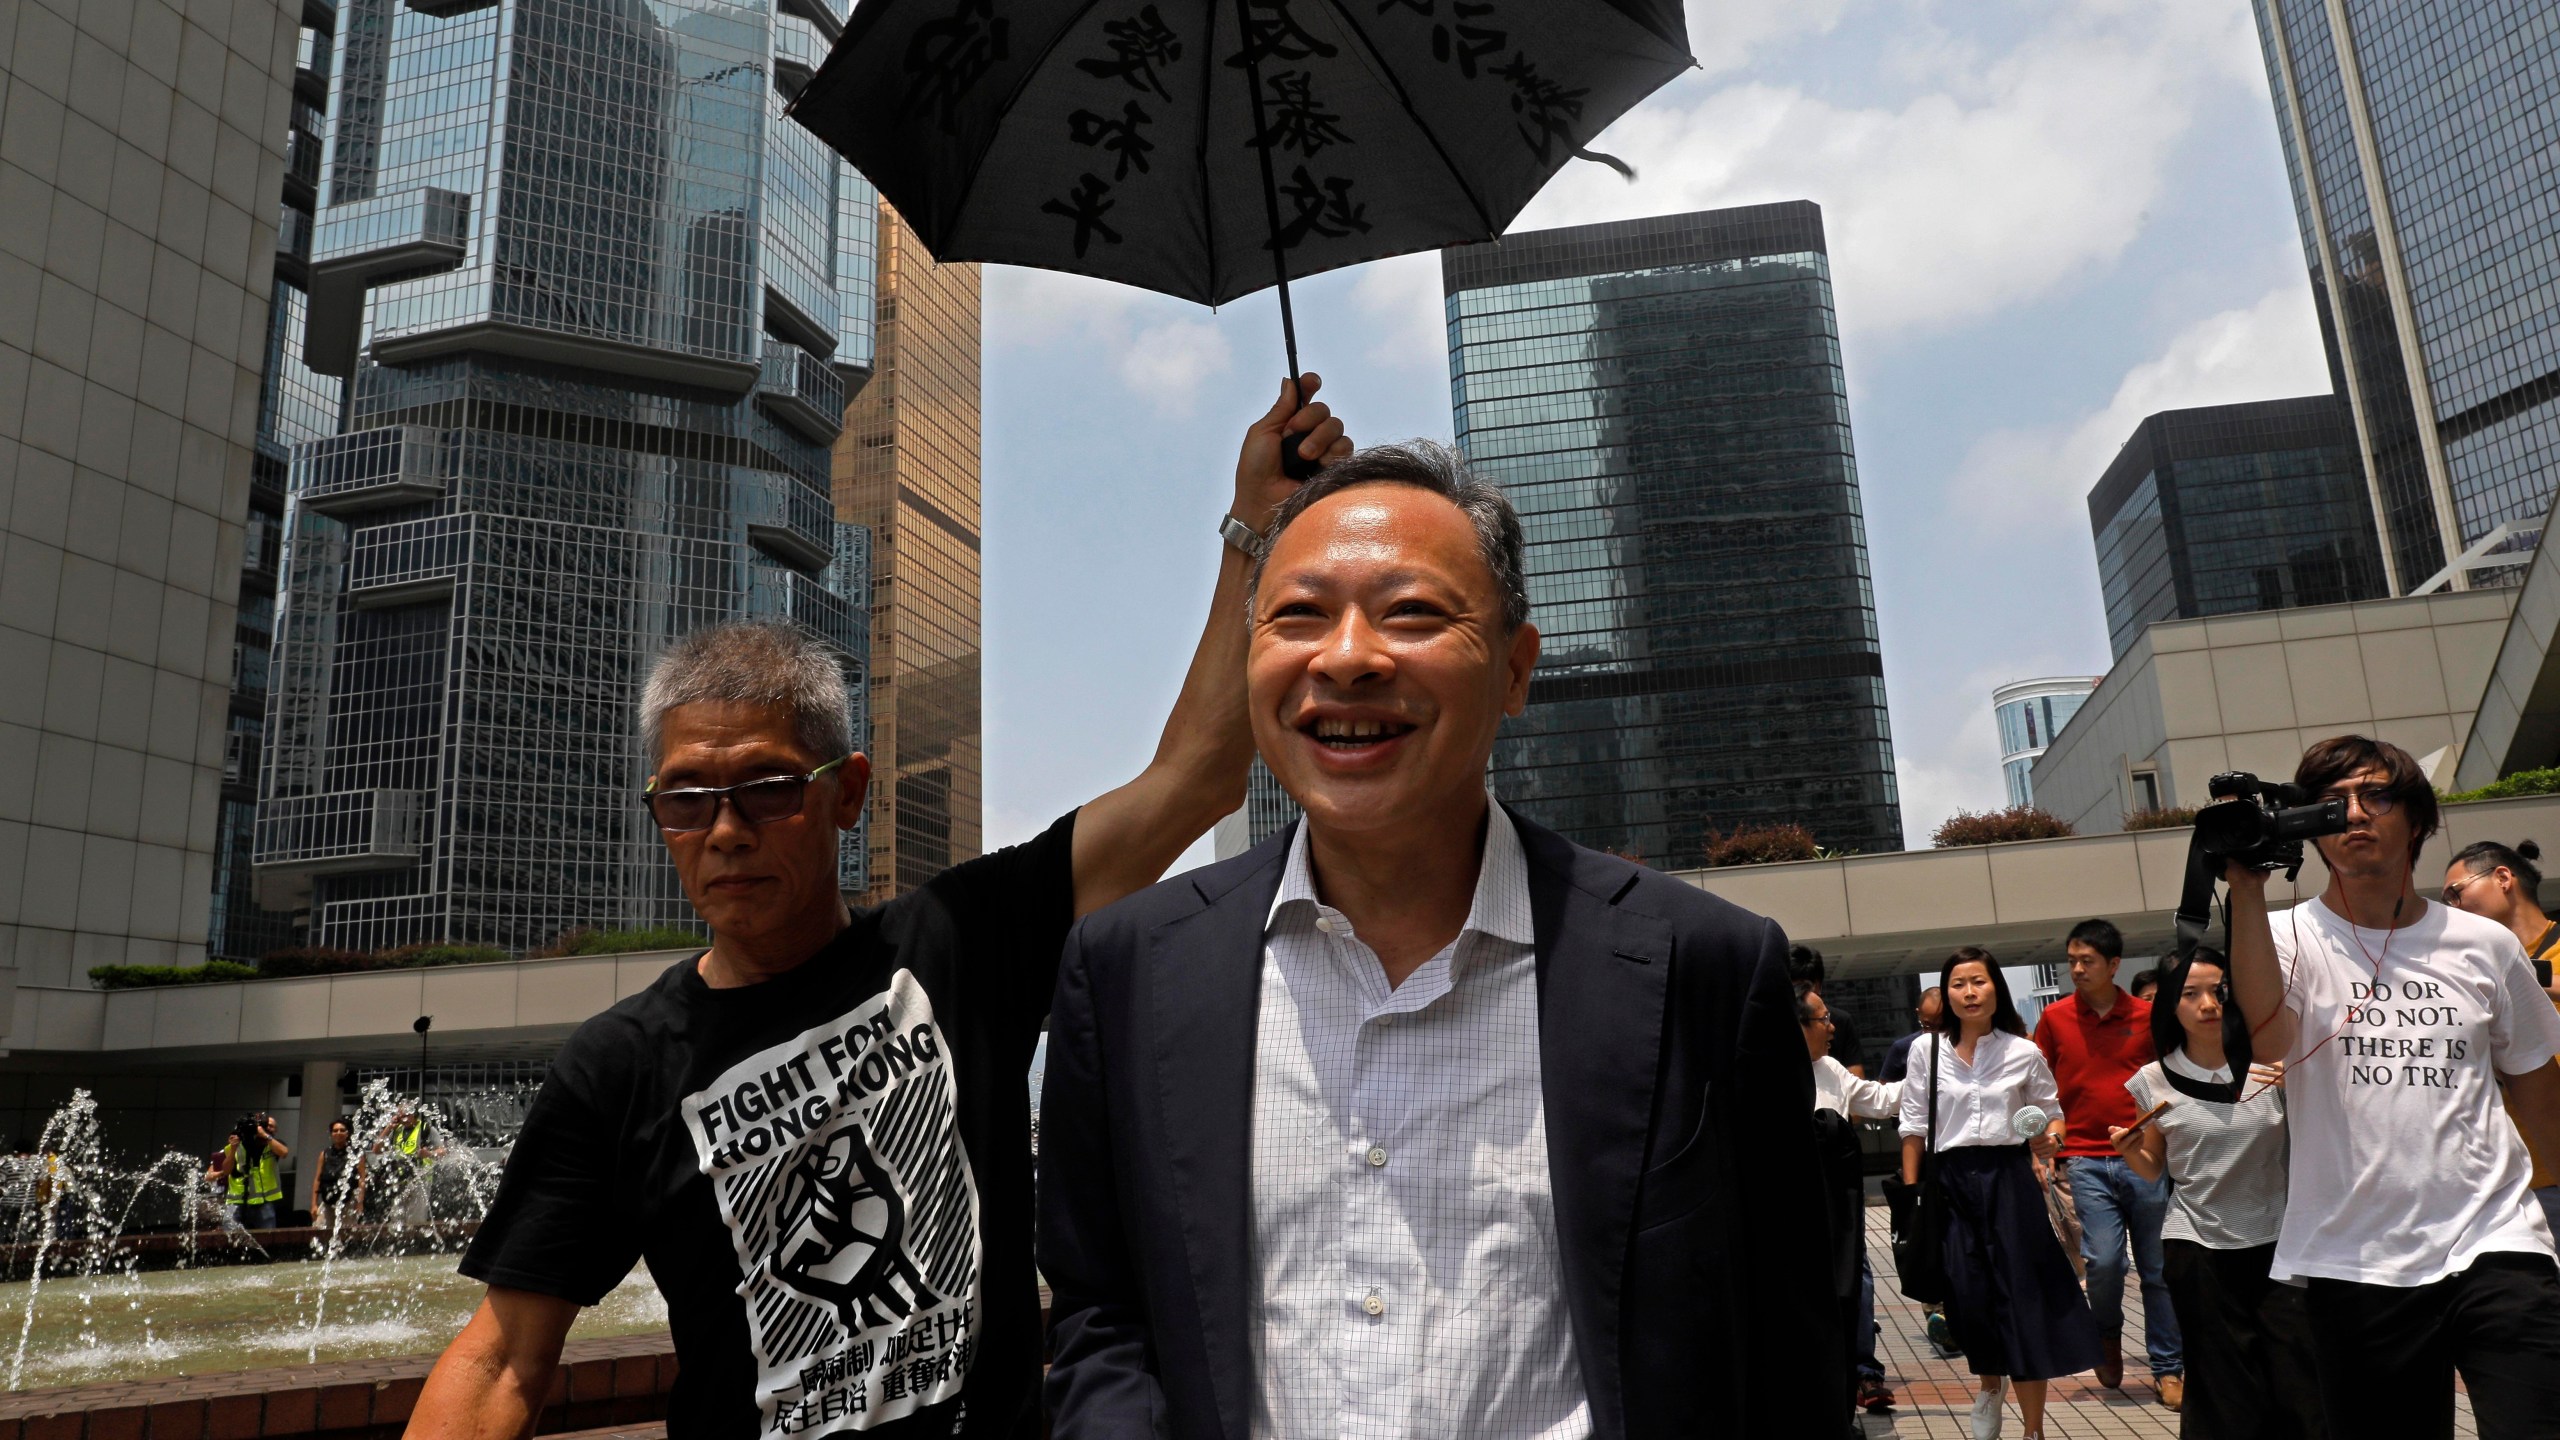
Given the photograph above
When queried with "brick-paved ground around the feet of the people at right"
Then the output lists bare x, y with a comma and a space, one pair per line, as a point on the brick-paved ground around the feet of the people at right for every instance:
1937, 1395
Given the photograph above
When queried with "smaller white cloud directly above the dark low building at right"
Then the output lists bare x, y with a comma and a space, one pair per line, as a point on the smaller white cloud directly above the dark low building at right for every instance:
2036, 480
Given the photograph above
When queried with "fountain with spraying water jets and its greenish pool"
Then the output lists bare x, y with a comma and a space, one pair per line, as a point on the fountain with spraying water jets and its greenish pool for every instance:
137, 1270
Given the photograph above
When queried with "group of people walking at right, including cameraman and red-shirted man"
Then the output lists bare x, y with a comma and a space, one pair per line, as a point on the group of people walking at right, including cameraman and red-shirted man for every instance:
2323, 1154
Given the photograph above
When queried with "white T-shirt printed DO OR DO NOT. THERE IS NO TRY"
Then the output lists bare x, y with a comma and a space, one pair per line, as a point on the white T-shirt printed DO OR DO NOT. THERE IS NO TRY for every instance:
2405, 1162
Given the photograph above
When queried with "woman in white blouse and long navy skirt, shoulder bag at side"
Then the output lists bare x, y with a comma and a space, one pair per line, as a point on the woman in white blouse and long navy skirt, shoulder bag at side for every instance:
2013, 1305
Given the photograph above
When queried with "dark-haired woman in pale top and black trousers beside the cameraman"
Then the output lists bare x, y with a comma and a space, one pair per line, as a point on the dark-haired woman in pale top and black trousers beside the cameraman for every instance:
2216, 1126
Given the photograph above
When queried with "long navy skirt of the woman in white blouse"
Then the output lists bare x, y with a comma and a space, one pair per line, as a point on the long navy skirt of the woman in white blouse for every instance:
2013, 1303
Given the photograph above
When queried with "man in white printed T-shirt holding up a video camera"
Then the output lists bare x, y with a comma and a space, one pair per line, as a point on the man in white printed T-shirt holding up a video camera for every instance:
2410, 1213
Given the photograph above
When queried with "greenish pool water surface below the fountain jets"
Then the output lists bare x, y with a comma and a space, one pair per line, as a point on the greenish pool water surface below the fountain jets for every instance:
239, 1318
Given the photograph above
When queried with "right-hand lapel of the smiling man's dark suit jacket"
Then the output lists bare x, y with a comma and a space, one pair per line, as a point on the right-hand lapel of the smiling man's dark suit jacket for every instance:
1604, 980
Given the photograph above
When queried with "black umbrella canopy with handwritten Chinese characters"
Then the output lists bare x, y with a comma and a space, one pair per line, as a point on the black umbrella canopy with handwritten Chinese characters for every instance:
1215, 147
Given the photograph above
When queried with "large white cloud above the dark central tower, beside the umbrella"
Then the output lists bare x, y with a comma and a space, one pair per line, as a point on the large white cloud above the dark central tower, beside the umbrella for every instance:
2006, 181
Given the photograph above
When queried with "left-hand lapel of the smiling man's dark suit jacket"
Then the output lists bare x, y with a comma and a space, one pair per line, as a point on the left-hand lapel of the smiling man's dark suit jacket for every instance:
1207, 983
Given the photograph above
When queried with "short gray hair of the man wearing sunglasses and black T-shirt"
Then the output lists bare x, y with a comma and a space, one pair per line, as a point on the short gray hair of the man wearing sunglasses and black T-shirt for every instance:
751, 662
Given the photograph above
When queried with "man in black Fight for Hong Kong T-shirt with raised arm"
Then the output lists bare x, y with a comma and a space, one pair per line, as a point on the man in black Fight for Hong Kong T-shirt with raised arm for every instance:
818, 1131
